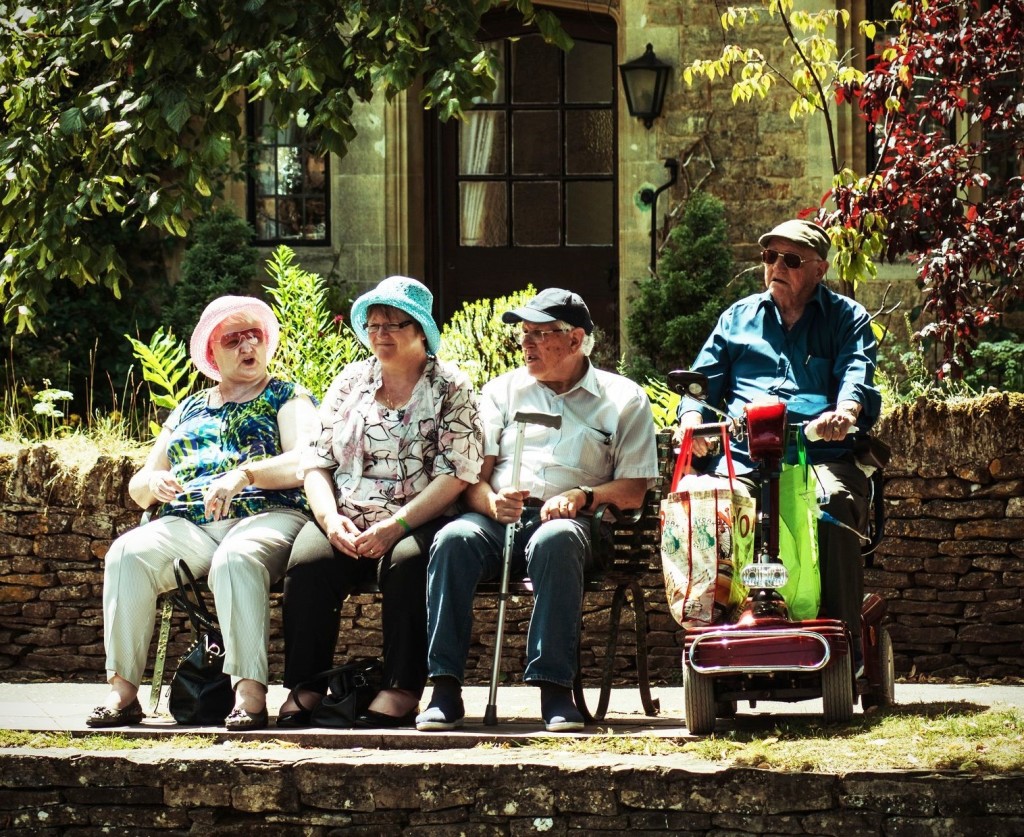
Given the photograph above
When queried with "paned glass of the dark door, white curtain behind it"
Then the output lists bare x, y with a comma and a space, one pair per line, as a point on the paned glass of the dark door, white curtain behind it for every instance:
536, 160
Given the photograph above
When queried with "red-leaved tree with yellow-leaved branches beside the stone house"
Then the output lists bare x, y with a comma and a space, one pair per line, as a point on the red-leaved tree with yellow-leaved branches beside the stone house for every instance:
946, 100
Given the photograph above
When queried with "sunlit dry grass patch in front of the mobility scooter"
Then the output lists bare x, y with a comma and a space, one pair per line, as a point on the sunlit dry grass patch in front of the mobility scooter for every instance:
941, 738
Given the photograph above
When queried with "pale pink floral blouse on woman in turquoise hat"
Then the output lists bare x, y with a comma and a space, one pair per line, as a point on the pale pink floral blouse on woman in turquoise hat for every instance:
383, 458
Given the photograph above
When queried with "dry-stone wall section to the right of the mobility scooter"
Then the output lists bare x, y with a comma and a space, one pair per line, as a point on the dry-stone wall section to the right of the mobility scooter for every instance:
953, 562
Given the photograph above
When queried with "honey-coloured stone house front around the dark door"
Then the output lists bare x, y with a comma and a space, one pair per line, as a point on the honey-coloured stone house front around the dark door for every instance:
389, 212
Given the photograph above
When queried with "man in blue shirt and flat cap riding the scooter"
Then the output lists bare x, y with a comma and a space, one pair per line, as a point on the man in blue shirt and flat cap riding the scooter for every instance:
815, 350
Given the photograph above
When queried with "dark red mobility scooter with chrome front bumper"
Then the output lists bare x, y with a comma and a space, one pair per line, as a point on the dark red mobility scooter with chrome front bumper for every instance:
760, 654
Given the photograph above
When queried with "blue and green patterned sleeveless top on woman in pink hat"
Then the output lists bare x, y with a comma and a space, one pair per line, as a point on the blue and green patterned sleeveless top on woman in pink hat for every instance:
207, 442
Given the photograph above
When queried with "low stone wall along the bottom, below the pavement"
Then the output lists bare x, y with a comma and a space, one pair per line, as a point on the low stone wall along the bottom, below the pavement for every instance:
479, 792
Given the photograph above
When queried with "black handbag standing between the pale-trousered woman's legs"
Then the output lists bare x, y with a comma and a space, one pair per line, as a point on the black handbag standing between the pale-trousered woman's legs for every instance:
201, 693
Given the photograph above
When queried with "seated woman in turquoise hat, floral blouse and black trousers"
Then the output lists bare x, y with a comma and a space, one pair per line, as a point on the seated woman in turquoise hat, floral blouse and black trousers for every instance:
401, 440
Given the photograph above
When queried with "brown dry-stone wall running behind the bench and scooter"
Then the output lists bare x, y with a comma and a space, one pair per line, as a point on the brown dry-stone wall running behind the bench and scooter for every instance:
952, 566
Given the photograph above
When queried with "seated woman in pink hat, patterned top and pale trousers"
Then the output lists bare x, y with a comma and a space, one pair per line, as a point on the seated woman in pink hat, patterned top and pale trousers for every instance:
223, 476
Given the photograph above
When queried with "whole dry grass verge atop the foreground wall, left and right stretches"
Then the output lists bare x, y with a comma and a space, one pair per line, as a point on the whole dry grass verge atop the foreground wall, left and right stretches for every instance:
930, 737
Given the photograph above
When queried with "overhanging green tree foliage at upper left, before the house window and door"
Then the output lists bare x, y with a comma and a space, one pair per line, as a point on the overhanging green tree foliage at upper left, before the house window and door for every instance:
133, 110
